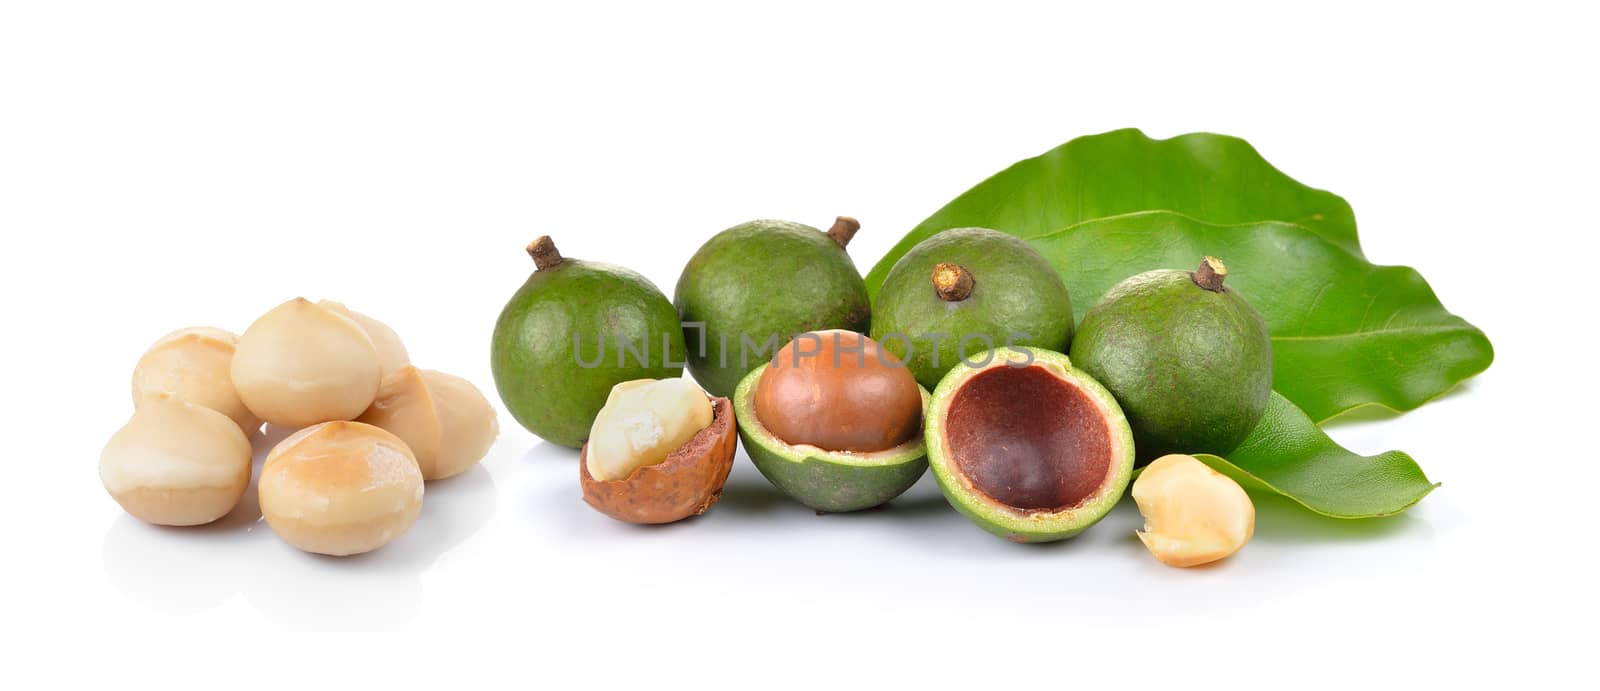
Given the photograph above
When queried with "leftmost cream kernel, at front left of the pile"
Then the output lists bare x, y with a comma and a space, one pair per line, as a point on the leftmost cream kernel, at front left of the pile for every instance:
177, 463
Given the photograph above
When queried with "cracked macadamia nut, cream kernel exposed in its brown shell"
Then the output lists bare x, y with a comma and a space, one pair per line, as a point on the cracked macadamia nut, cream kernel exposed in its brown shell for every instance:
660, 452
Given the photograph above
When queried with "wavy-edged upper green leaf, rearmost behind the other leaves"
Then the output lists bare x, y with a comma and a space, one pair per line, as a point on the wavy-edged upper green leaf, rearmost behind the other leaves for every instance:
1210, 177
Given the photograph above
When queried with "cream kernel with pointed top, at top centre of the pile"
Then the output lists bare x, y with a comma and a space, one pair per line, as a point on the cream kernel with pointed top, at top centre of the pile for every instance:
305, 364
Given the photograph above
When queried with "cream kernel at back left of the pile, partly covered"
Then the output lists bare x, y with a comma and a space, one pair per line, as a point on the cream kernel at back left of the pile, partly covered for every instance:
194, 365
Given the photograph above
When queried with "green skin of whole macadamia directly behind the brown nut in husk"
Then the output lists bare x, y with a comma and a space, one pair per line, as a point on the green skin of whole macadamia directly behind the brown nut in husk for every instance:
764, 279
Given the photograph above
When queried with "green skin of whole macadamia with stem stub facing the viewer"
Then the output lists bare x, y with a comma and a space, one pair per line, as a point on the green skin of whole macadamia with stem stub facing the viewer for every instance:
1018, 300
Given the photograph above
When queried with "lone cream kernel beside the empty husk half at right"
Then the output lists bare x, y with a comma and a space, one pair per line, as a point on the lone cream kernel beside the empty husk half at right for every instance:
1193, 514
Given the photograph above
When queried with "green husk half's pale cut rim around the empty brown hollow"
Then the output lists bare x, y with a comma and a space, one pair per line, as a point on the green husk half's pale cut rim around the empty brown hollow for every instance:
1002, 521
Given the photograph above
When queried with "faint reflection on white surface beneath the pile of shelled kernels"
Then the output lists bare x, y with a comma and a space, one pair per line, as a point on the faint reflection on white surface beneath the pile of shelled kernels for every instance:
191, 570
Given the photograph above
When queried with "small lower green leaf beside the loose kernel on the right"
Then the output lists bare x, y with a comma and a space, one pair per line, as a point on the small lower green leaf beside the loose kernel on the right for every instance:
1287, 455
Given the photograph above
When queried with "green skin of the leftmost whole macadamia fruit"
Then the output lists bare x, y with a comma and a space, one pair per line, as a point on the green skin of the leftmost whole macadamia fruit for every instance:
537, 372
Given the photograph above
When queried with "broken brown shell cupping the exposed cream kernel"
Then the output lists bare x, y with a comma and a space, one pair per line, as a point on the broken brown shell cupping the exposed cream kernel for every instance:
686, 485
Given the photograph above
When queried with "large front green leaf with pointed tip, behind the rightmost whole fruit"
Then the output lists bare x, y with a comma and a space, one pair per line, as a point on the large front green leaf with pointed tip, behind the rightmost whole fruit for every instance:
1345, 332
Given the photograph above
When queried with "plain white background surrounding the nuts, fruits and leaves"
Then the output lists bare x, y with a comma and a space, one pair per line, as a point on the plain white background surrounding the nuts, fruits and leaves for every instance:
196, 164
